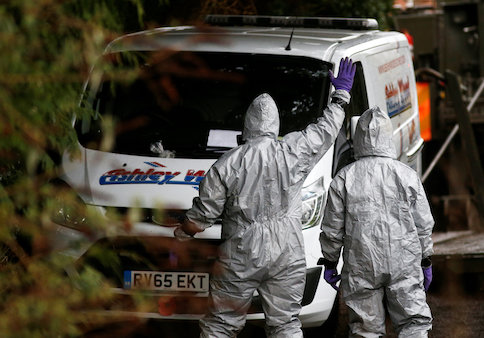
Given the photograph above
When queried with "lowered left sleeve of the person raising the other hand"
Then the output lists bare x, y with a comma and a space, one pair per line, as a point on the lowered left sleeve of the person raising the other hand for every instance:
209, 204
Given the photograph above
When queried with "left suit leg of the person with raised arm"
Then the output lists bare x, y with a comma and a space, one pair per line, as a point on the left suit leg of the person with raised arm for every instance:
229, 302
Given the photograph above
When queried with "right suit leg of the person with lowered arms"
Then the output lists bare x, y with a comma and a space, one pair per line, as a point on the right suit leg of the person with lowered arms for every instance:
408, 309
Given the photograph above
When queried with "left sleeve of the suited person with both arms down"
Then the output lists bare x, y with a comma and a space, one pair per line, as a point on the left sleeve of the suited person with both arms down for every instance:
333, 225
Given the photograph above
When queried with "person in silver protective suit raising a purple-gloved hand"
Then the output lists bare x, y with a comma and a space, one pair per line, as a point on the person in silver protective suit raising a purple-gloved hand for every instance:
255, 189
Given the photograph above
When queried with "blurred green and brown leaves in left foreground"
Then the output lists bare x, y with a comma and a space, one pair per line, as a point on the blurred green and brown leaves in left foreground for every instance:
47, 49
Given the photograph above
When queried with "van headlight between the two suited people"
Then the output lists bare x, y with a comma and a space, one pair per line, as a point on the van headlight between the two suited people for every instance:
313, 201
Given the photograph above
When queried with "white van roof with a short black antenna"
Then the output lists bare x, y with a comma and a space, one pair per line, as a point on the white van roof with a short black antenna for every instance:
315, 42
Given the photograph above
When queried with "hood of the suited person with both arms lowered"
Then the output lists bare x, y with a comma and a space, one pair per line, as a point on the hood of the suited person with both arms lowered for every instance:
373, 135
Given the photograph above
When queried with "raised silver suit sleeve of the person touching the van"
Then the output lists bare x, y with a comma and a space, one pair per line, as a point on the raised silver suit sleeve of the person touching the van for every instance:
312, 143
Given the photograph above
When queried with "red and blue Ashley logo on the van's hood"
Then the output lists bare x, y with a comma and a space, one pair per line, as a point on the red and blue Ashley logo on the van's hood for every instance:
152, 176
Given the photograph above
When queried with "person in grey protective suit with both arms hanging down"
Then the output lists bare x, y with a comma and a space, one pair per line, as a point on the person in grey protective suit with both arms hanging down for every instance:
378, 212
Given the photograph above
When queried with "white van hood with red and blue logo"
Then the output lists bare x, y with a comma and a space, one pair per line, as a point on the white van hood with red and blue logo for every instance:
117, 180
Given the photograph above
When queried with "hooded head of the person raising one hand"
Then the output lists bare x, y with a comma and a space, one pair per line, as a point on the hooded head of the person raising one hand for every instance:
262, 118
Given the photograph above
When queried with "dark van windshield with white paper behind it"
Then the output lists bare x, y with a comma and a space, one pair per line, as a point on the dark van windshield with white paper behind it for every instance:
192, 104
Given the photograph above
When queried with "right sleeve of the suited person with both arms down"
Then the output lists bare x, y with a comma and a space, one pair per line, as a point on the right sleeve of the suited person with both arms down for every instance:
424, 220
